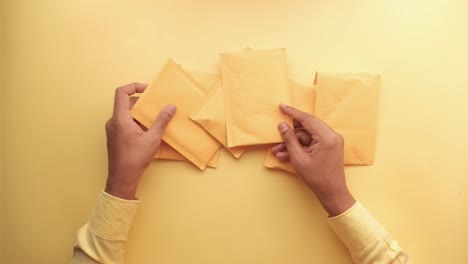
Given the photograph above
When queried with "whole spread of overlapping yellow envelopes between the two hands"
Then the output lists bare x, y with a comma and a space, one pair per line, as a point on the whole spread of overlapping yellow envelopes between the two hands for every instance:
238, 108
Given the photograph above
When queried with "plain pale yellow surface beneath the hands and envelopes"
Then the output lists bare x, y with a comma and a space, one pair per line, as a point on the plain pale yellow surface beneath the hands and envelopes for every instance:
63, 60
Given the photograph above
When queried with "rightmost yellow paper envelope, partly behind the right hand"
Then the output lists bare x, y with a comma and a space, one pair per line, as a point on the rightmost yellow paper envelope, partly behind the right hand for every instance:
348, 104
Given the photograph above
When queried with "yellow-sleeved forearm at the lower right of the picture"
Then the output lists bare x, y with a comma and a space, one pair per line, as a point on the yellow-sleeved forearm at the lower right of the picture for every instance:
366, 240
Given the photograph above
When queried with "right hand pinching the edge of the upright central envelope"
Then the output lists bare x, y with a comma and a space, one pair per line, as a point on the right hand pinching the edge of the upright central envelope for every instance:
316, 153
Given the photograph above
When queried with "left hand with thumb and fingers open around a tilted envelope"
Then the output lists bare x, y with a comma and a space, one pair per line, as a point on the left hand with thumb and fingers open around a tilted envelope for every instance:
131, 148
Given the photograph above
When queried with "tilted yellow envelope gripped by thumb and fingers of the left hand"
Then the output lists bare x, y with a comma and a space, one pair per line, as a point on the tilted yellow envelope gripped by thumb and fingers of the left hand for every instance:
174, 86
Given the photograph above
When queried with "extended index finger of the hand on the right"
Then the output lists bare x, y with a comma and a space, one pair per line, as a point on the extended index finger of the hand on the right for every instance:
311, 124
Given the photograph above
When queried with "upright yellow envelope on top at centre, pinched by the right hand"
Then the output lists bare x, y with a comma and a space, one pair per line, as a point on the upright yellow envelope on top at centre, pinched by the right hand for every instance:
255, 83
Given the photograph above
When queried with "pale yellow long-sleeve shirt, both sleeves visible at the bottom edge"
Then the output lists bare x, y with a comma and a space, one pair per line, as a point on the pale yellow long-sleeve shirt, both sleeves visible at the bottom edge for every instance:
102, 239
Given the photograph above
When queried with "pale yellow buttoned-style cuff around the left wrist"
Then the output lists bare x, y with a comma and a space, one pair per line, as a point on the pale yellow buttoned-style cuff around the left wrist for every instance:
112, 216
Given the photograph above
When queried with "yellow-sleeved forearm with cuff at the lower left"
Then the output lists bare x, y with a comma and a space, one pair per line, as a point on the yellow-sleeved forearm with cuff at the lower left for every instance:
103, 238
